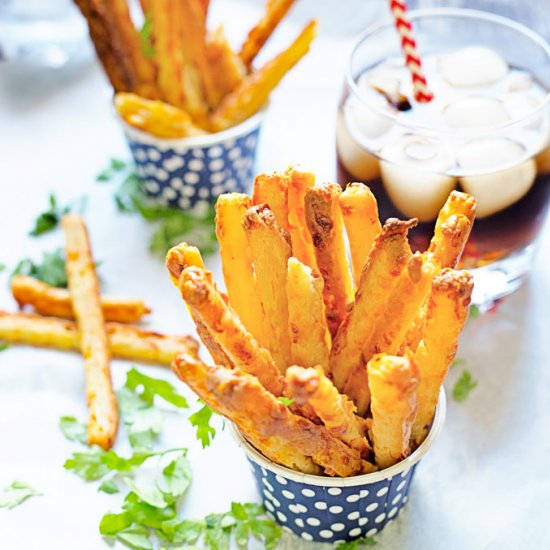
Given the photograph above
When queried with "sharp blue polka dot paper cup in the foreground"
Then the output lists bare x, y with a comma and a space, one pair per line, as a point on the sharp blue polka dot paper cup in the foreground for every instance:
328, 509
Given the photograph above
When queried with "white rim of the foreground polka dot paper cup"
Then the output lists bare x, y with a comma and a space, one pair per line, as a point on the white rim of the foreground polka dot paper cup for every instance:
353, 481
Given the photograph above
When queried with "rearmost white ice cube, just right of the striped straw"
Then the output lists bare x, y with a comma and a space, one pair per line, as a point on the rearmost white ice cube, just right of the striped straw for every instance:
472, 66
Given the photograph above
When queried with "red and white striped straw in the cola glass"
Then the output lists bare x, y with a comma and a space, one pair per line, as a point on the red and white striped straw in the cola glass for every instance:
422, 93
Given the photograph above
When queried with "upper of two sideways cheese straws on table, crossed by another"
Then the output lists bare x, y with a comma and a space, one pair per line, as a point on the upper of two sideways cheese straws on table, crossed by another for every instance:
56, 302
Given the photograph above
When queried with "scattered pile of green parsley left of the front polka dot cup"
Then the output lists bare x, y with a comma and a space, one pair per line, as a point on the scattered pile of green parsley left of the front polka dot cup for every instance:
149, 516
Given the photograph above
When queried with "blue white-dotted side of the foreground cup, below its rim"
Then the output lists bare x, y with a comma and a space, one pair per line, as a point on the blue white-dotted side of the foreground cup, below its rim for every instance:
332, 514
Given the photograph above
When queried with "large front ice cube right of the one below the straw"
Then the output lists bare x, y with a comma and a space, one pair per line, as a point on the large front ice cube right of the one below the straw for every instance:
499, 188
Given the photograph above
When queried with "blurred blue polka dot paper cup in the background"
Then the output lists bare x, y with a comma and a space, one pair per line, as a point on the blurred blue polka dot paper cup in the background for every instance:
189, 172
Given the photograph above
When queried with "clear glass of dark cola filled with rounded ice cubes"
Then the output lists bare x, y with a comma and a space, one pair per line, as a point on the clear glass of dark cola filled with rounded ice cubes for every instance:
490, 138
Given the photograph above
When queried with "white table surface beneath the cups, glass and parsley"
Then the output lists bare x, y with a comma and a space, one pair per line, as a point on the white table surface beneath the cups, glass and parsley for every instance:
485, 483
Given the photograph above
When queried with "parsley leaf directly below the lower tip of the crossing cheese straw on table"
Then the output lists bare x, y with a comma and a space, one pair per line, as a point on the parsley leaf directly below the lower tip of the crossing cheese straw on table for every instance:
95, 463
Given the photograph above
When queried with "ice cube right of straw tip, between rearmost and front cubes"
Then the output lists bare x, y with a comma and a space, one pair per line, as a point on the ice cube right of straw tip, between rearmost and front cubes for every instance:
475, 112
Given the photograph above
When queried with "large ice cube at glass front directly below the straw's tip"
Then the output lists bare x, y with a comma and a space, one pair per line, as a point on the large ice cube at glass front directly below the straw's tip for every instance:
414, 175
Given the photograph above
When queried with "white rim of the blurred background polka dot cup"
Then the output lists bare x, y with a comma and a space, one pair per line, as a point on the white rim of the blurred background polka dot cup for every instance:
205, 140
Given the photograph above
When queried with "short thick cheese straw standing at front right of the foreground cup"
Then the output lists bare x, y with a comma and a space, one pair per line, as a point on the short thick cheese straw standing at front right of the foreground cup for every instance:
393, 383
